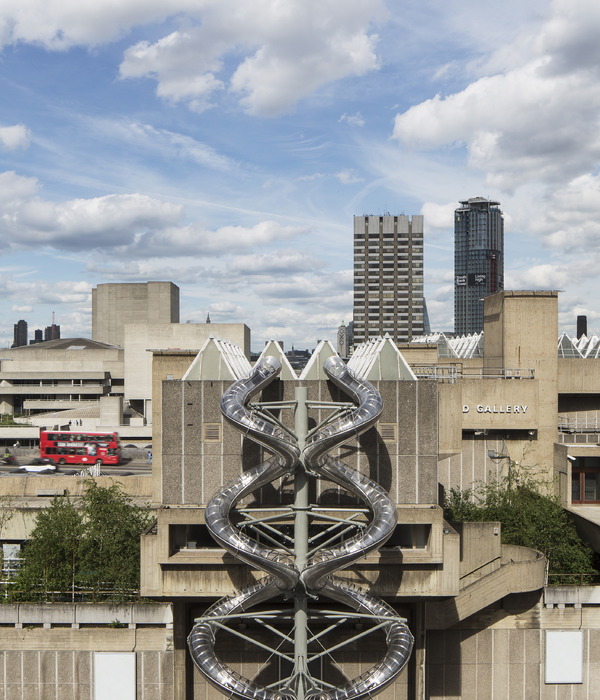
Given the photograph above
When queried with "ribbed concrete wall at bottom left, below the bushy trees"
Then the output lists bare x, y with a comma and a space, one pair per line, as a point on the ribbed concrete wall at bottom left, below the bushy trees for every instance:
48, 651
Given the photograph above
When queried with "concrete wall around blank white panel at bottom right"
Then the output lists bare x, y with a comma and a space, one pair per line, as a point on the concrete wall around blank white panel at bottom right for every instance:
499, 653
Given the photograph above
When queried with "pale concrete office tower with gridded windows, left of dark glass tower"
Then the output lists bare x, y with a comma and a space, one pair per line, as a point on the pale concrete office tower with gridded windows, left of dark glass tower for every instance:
388, 277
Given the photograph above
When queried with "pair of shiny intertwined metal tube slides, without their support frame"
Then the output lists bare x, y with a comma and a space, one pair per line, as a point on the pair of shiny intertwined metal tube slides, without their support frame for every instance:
316, 580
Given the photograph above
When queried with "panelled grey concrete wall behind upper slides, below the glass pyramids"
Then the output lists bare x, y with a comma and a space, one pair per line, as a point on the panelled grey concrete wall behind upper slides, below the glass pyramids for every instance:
404, 462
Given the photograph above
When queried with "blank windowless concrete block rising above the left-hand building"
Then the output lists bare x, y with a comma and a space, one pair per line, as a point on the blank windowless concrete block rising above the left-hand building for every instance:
115, 305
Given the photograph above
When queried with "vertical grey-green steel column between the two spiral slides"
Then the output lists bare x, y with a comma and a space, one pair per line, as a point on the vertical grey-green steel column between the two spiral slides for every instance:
301, 503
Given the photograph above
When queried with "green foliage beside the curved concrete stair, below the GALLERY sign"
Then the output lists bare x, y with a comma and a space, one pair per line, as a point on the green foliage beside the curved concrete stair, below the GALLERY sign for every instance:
529, 517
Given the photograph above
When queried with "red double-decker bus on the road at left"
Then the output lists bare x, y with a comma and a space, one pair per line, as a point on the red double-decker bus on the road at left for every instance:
67, 447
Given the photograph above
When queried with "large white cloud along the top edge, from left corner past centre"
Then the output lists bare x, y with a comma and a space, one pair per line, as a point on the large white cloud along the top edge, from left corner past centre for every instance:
270, 54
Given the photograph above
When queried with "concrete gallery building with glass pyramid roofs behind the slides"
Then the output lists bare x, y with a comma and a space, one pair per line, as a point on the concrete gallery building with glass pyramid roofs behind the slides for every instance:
485, 625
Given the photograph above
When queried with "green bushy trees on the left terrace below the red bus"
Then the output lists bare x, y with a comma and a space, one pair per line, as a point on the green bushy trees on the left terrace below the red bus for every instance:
94, 546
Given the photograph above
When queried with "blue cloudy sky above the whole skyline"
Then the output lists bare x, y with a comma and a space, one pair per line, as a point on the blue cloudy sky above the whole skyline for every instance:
225, 145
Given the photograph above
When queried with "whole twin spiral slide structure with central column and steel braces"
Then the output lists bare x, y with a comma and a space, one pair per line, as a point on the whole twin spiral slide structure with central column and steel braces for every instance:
309, 581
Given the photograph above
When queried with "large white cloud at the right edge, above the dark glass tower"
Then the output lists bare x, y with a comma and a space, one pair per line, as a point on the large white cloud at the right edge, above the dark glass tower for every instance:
538, 121
